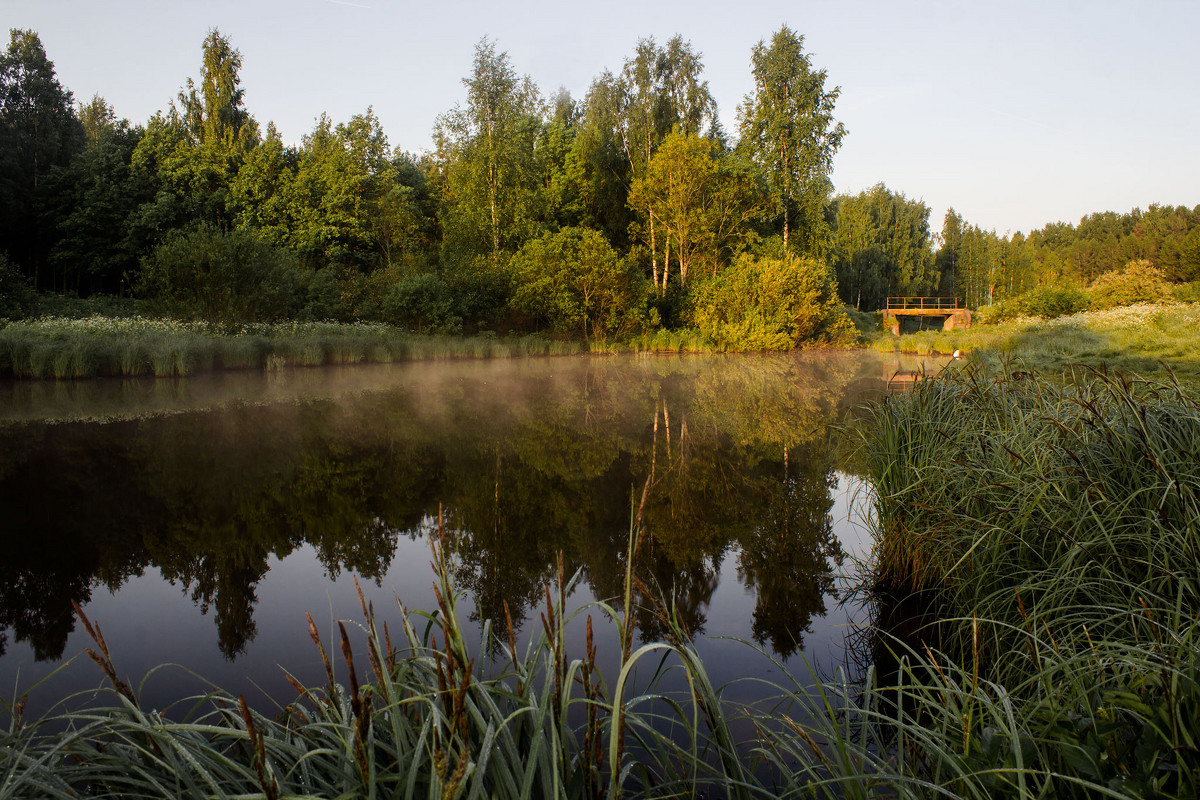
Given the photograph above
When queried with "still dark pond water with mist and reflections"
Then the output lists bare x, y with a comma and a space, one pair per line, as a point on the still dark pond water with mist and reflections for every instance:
199, 520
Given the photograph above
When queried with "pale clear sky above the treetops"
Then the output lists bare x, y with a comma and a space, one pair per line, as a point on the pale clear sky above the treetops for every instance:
1016, 115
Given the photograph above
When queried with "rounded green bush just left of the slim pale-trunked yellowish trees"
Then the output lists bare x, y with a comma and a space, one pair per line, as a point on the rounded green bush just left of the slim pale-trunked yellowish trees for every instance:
575, 281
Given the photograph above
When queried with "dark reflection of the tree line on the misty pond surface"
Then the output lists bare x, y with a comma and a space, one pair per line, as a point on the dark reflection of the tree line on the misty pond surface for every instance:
547, 465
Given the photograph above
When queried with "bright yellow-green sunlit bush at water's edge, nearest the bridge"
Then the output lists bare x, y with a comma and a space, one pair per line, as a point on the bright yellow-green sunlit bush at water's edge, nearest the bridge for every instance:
763, 304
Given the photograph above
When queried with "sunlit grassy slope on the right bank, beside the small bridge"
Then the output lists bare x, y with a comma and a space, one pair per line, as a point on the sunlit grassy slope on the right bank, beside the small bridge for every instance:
1132, 339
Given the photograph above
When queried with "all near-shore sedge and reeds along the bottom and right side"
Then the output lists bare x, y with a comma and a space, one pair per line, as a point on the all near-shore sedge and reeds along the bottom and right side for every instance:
1048, 531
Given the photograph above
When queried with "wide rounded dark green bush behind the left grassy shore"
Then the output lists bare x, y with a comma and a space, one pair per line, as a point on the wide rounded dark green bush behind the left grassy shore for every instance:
221, 278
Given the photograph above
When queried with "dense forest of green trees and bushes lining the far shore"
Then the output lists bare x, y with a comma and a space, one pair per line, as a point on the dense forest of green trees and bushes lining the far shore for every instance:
620, 213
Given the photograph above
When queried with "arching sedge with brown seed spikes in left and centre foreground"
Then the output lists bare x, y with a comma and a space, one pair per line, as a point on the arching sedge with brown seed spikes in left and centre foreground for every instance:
415, 717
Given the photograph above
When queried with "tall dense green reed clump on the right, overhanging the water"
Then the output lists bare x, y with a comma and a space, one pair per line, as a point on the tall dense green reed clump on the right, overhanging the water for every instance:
1057, 532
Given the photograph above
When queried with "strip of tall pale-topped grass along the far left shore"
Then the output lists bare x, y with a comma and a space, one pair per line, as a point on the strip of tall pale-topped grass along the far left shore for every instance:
136, 346
